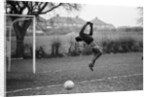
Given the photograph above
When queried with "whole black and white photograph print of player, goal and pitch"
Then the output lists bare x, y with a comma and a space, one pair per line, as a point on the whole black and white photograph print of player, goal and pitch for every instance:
54, 48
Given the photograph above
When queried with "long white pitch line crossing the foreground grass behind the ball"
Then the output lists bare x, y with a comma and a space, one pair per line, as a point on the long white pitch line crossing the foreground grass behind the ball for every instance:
109, 78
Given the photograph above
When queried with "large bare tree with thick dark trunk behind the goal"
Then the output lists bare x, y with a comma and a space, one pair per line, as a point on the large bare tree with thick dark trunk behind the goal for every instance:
31, 8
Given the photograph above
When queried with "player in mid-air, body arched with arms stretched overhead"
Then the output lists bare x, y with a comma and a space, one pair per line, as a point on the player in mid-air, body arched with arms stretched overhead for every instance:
88, 39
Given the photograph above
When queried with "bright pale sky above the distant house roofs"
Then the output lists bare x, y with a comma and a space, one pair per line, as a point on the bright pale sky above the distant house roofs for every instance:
116, 15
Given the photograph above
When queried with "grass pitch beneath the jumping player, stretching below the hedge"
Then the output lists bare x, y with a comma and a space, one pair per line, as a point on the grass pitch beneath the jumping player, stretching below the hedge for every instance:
113, 72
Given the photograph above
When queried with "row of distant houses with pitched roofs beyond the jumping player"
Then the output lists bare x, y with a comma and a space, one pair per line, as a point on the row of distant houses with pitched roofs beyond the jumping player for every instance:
59, 21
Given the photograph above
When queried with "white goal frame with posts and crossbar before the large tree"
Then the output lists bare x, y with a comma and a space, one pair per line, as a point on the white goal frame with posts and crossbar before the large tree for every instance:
8, 38
